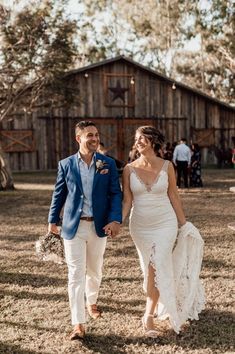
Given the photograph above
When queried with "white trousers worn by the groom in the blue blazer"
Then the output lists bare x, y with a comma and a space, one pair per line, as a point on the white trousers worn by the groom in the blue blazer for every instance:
84, 258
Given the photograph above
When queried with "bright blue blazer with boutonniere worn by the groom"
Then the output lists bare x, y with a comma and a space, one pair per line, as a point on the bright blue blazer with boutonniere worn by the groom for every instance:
68, 194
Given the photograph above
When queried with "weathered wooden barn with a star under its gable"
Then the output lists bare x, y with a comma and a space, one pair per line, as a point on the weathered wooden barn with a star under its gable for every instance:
118, 95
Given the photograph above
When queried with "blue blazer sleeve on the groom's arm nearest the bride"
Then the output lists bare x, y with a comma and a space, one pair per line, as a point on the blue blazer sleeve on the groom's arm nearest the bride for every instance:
115, 195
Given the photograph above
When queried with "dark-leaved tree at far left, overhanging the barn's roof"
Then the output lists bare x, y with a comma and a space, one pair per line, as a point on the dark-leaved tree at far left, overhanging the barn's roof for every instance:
37, 47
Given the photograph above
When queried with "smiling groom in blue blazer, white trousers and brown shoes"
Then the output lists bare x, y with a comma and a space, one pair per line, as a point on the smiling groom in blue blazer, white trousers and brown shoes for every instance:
88, 190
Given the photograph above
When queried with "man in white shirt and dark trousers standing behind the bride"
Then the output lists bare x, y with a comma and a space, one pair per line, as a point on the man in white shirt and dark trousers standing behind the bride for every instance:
182, 160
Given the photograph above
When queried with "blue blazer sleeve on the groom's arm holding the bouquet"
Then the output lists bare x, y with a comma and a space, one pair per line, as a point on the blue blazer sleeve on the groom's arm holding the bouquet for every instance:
58, 197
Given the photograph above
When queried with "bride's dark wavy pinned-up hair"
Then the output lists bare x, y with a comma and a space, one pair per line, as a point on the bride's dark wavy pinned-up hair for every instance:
155, 137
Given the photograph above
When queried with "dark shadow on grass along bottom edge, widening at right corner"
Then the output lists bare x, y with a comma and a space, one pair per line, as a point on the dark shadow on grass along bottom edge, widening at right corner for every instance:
213, 331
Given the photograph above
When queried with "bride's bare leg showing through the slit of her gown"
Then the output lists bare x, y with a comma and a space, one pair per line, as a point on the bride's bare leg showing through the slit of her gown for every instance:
152, 298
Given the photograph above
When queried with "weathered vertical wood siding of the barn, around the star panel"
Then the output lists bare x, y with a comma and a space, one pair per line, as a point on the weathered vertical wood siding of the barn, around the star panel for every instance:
174, 111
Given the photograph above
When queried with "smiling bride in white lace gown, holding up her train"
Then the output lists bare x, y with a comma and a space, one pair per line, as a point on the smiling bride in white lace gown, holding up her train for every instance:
171, 273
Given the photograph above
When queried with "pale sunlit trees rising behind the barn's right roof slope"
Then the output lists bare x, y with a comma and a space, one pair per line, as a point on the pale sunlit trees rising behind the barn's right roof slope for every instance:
156, 33
